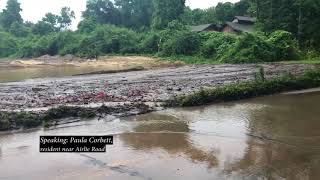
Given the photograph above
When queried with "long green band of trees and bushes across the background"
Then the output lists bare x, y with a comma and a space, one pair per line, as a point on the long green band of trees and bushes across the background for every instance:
162, 27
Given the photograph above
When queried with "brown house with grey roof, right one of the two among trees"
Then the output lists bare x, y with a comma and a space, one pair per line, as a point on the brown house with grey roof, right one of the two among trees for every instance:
239, 24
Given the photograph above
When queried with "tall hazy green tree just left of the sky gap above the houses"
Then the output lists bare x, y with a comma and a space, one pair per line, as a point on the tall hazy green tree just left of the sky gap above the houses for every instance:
167, 11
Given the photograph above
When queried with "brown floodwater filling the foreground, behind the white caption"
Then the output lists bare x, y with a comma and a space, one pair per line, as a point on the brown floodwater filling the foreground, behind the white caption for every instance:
274, 137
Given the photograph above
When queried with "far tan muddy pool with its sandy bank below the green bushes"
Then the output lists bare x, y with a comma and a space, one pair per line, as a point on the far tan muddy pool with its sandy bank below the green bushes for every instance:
56, 66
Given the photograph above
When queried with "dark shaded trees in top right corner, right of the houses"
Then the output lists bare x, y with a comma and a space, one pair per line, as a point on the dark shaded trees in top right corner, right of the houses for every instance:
300, 17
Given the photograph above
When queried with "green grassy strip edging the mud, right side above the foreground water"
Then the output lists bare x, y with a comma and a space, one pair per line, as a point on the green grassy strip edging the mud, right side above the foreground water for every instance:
245, 90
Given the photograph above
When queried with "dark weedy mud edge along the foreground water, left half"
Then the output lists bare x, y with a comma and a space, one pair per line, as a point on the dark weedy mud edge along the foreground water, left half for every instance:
60, 115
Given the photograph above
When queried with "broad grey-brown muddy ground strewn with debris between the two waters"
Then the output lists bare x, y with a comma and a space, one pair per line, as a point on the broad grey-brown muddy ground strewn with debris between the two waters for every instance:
130, 87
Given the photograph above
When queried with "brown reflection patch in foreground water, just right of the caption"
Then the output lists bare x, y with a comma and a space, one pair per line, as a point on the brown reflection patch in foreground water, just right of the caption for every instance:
167, 133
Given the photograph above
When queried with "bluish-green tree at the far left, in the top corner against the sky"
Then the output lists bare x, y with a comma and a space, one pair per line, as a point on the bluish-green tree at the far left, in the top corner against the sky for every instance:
11, 14
